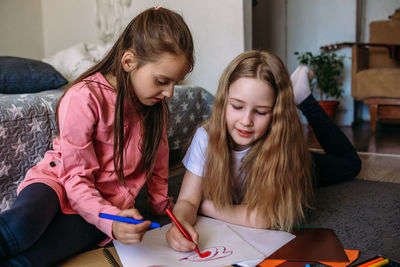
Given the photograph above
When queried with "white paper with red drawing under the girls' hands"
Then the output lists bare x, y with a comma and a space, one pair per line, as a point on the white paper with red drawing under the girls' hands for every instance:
227, 243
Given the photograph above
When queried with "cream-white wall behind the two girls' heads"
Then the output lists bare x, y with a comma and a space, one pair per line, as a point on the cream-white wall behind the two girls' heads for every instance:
40, 28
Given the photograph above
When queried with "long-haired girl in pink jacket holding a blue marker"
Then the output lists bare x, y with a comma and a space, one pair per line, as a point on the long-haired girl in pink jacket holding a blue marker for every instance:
112, 140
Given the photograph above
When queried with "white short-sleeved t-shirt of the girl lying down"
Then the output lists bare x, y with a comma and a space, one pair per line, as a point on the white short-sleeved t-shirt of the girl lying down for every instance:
195, 158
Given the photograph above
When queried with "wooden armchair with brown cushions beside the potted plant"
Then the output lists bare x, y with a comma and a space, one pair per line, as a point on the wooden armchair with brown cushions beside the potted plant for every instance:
375, 76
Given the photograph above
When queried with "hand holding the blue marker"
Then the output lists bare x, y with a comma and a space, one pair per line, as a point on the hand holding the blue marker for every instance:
128, 233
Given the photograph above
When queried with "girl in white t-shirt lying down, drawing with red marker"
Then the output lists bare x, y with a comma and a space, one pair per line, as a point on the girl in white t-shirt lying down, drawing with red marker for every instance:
249, 163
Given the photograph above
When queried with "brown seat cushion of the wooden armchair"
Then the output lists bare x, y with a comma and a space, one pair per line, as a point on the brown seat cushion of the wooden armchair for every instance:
383, 82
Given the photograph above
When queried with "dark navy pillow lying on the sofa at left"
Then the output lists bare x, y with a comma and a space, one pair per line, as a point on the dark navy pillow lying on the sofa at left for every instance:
23, 75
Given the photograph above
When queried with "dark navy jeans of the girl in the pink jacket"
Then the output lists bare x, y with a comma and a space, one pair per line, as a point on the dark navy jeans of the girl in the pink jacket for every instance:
34, 231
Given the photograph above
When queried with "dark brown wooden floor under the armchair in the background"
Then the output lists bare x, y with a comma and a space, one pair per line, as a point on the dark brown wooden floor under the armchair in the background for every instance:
386, 139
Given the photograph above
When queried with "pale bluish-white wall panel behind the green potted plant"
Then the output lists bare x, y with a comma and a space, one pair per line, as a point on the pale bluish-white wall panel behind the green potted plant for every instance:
314, 23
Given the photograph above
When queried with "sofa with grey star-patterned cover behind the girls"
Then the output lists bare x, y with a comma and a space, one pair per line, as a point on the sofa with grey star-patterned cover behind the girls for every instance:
28, 126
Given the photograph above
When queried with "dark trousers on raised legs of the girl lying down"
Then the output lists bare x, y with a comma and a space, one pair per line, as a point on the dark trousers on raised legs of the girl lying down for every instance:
341, 162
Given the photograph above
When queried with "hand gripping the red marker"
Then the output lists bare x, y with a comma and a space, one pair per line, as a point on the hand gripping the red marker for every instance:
178, 241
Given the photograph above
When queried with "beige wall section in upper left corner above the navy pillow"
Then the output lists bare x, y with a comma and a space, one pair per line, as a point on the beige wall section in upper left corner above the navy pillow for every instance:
21, 31
